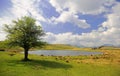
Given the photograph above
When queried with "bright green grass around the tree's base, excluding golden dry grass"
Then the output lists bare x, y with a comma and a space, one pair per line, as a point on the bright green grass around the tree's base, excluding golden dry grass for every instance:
49, 66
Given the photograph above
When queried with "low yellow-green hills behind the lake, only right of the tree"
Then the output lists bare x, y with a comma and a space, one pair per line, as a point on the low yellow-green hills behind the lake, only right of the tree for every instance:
70, 47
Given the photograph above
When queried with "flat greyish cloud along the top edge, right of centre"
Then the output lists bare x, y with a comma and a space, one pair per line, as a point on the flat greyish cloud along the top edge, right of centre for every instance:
82, 6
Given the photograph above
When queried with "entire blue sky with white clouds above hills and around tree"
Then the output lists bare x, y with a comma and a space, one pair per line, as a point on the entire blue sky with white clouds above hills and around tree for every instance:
83, 23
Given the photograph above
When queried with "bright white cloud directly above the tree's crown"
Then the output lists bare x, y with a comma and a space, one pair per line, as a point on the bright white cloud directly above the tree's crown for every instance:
26, 7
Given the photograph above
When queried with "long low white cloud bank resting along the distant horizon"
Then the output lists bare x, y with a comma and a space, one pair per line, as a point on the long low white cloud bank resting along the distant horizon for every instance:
92, 39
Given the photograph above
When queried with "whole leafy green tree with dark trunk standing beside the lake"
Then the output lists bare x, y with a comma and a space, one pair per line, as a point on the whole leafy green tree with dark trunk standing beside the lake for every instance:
24, 33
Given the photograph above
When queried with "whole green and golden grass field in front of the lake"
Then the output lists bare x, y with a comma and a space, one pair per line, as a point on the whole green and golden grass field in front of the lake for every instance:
107, 64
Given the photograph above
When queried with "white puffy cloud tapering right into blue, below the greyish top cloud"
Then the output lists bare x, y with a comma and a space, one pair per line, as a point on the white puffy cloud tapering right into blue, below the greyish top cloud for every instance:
72, 18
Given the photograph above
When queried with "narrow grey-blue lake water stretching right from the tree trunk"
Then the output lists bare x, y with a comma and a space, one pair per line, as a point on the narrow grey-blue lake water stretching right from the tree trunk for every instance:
63, 53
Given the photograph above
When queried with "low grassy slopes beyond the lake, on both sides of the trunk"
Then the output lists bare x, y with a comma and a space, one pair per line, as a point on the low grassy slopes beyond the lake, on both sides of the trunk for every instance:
57, 47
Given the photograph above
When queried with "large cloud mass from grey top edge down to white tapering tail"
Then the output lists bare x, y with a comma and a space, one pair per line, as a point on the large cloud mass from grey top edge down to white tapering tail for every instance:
69, 10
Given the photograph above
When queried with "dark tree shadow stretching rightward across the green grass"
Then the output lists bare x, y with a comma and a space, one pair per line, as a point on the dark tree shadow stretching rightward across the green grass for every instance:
41, 63
